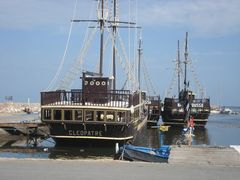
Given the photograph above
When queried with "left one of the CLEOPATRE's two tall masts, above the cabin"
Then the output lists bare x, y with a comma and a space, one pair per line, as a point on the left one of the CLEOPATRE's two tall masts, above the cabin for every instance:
101, 21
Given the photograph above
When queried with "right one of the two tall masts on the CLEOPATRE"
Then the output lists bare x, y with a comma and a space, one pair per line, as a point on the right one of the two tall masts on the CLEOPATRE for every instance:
114, 26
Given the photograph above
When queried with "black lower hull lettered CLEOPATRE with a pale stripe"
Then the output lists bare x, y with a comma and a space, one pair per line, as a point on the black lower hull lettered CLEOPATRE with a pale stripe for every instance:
72, 134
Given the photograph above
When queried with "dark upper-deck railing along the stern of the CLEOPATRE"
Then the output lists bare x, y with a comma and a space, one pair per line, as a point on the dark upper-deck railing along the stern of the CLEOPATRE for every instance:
112, 98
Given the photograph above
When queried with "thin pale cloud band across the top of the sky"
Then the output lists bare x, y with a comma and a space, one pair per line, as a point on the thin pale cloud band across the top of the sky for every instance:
203, 17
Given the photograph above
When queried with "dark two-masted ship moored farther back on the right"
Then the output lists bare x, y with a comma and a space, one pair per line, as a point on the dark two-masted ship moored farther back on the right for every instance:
176, 111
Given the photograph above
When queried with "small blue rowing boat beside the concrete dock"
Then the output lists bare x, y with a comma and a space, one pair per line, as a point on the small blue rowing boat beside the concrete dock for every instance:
138, 153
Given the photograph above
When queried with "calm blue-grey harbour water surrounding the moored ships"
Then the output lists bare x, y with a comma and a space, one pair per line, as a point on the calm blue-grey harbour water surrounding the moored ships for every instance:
221, 130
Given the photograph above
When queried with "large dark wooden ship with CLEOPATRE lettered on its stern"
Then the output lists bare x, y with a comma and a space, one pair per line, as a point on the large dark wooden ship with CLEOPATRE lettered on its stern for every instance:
98, 113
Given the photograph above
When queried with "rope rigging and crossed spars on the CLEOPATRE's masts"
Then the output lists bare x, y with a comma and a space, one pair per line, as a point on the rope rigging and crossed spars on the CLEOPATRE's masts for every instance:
106, 20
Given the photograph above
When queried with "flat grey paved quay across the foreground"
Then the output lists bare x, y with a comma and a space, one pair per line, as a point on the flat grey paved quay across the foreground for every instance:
23, 169
